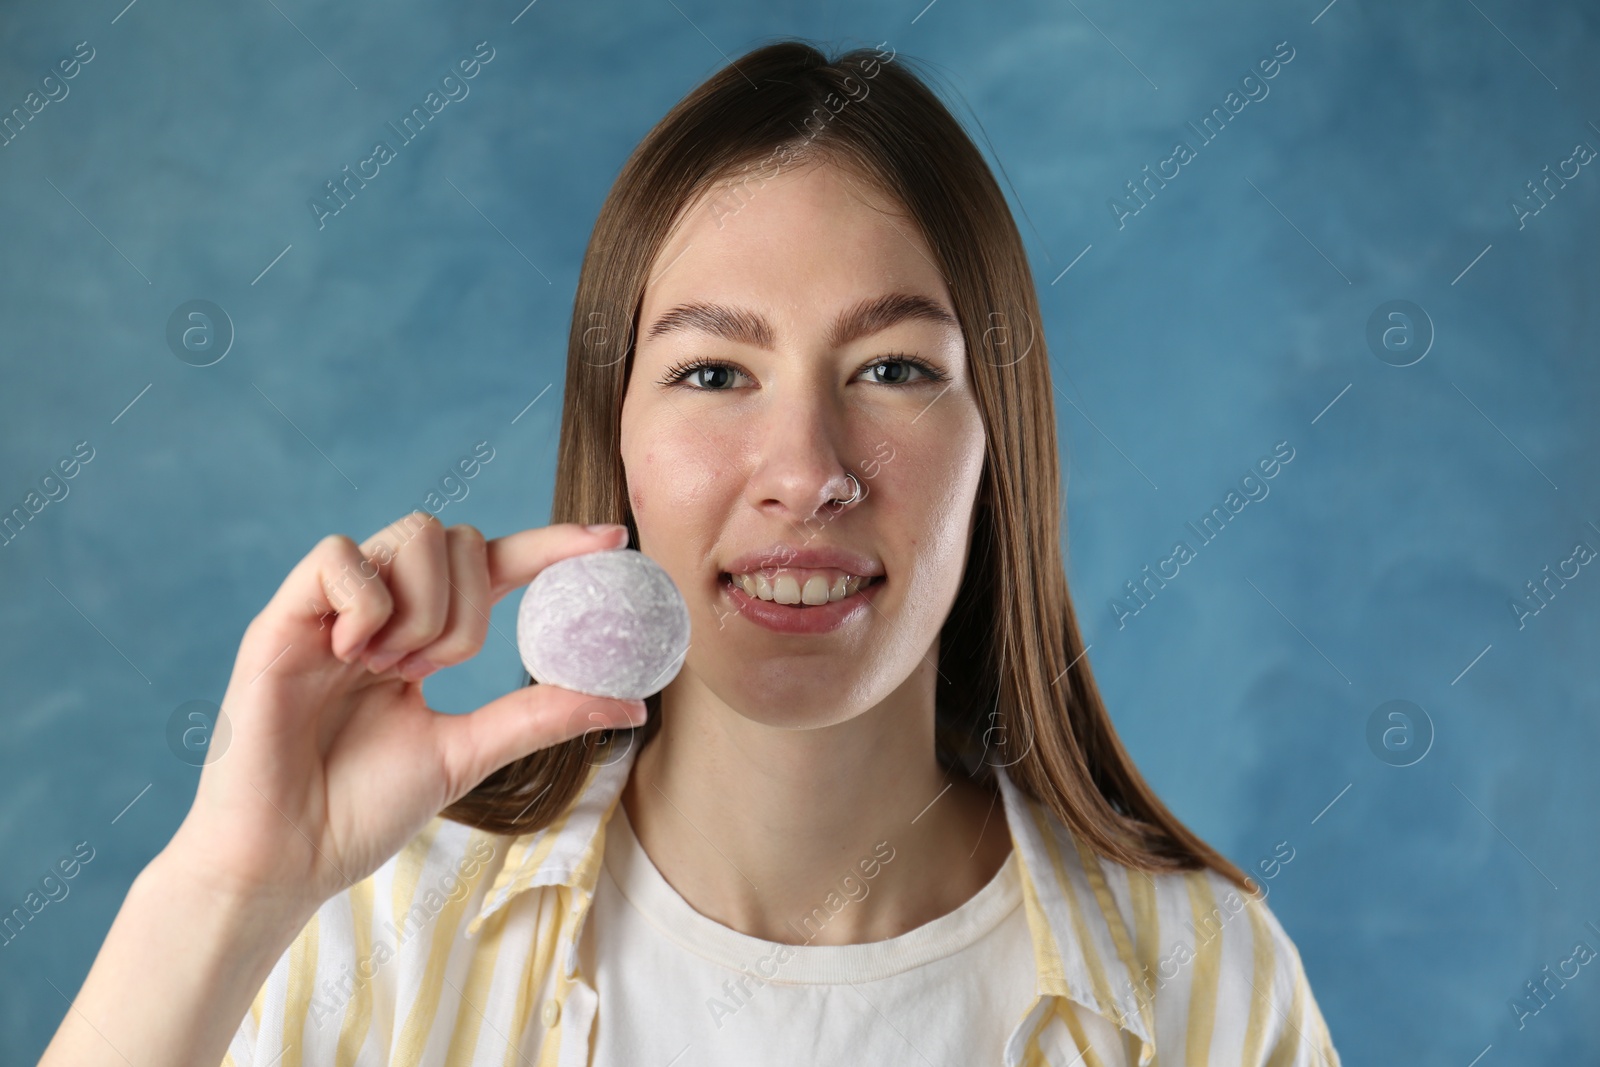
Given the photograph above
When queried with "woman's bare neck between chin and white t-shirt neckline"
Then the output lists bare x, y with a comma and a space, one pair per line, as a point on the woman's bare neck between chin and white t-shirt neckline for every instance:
833, 836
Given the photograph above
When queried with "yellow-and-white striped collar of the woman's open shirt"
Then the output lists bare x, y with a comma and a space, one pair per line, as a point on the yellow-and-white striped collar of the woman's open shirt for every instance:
1074, 901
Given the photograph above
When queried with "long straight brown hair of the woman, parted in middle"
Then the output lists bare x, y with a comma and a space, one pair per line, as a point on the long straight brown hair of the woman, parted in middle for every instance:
1015, 689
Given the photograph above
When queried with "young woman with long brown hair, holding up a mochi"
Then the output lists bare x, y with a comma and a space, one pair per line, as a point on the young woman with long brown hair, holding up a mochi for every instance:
879, 817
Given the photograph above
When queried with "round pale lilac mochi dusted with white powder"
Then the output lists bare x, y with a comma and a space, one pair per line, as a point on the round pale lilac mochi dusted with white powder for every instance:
607, 623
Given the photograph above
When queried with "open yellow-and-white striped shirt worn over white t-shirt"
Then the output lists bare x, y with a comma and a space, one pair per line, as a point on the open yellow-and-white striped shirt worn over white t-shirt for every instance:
463, 951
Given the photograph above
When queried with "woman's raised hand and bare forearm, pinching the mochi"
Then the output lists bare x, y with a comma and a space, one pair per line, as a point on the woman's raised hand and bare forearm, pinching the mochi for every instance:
332, 764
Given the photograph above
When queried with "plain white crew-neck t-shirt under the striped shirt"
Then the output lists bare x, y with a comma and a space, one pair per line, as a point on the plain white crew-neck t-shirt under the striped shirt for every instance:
678, 988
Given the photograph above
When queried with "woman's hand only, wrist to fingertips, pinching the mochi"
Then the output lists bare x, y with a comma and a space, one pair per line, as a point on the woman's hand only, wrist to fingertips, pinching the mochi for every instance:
334, 759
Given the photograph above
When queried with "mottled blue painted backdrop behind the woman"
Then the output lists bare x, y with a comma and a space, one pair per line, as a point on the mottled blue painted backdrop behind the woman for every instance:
1228, 316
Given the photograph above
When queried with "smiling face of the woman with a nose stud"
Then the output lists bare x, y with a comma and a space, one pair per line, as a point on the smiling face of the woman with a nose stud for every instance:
734, 468
